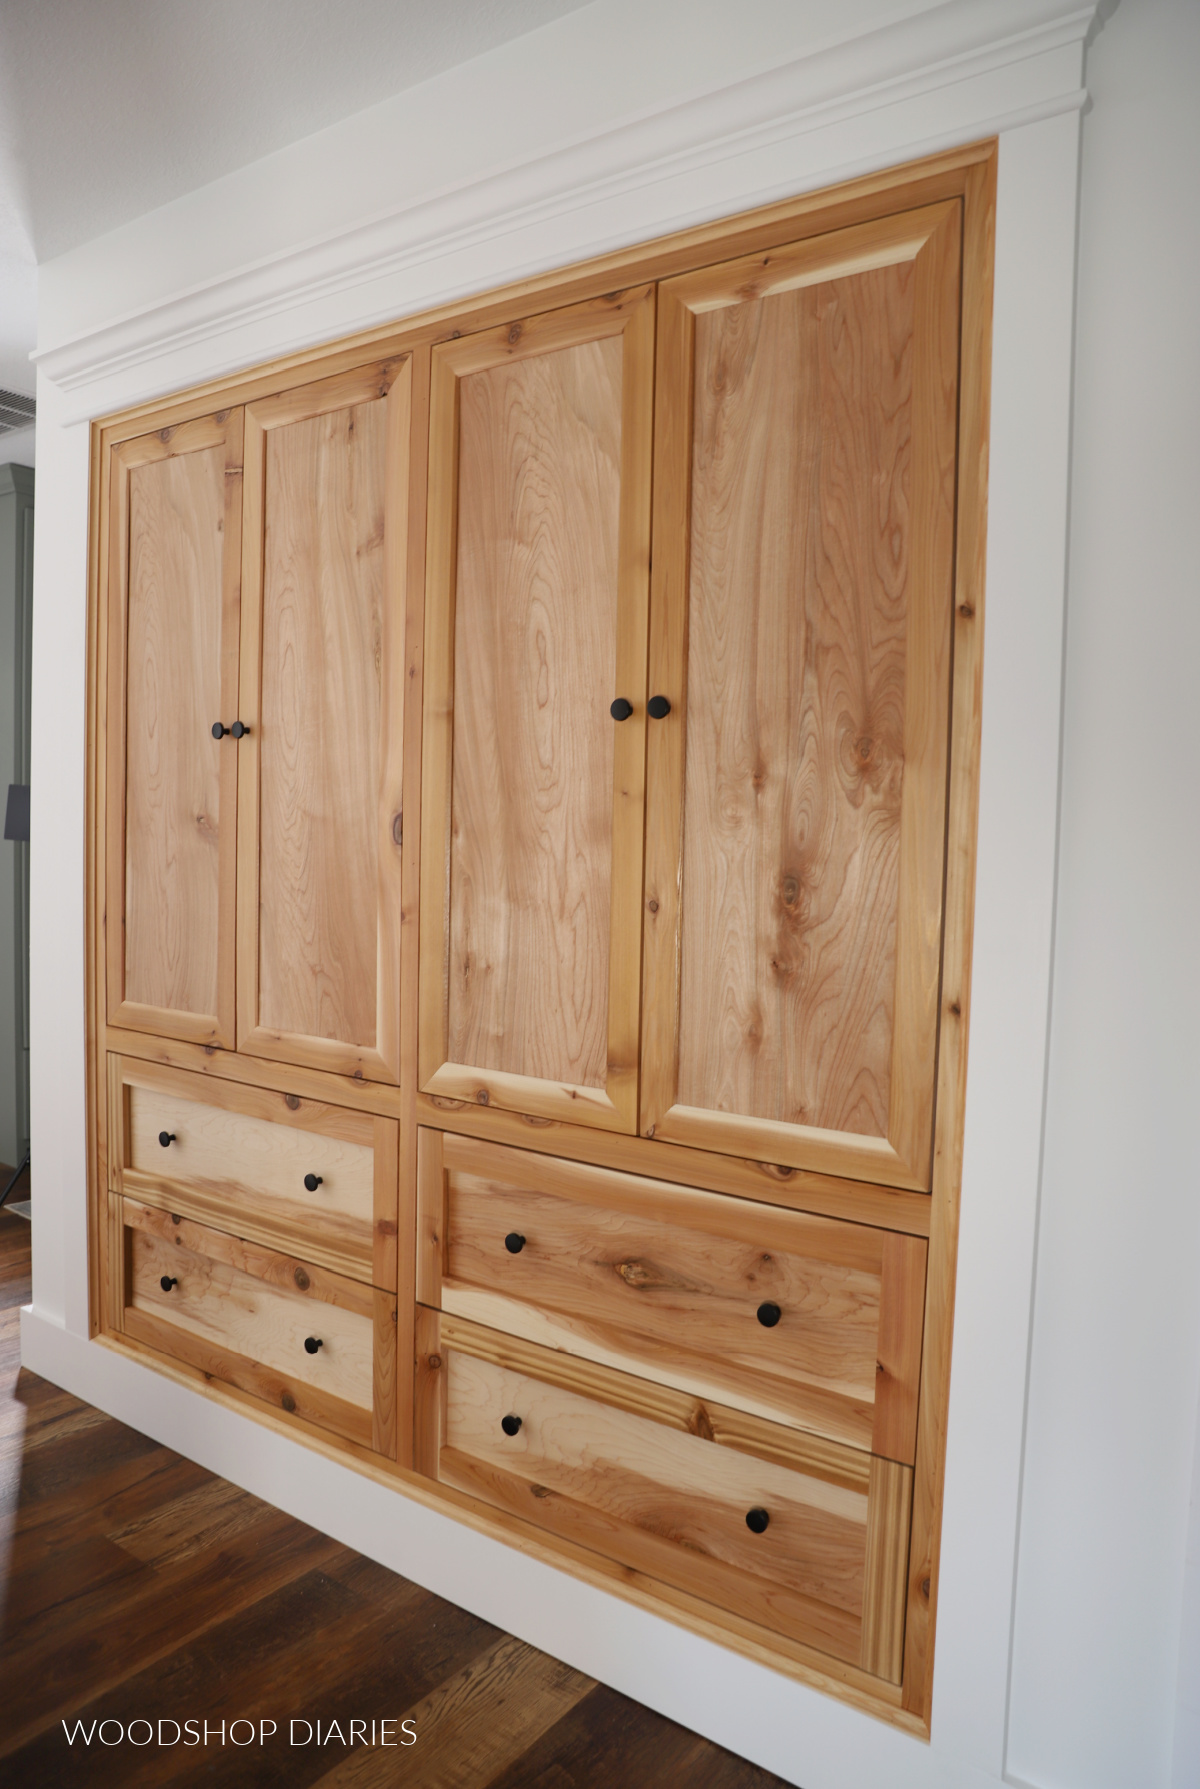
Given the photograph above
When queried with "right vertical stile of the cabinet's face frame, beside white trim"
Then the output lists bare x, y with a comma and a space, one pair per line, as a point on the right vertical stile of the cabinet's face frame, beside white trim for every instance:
956, 990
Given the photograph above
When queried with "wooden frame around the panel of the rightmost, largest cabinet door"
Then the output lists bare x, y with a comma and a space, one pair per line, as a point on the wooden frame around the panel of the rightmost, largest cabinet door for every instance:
929, 239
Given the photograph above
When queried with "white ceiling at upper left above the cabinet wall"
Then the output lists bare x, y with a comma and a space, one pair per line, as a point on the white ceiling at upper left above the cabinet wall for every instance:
110, 108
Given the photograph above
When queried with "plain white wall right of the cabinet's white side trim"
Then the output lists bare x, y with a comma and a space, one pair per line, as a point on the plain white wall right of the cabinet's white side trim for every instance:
1115, 1366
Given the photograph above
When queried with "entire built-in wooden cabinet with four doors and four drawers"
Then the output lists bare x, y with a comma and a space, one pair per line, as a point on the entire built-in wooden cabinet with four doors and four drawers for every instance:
534, 772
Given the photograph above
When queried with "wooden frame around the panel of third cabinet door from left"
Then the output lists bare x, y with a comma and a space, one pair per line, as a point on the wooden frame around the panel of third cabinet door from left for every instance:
614, 1106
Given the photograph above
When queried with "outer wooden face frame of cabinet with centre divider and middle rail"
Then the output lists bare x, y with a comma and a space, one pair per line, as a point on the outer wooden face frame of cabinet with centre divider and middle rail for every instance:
963, 174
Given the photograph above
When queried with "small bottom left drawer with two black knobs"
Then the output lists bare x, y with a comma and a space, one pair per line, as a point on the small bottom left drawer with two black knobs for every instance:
244, 1314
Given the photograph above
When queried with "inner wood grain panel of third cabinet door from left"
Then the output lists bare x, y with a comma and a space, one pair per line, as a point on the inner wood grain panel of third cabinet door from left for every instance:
536, 649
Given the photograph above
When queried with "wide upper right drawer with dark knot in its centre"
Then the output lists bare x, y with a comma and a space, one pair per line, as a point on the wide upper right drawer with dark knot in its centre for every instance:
800, 1319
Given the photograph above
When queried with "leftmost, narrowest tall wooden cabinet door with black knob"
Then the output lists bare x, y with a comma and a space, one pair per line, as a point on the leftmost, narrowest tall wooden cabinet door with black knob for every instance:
173, 786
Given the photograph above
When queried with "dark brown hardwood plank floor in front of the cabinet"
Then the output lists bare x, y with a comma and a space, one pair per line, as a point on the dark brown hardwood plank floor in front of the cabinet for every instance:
137, 1588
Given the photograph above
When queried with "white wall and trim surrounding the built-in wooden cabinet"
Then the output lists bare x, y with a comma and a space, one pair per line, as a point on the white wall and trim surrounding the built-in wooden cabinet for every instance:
763, 105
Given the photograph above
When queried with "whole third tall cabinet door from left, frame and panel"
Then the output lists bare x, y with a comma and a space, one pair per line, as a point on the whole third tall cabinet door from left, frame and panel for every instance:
536, 713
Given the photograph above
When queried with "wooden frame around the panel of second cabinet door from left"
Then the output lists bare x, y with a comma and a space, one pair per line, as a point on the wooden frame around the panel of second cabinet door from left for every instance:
393, 382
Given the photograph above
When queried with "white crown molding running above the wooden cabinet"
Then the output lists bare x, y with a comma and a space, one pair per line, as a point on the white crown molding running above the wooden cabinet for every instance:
997, 80
